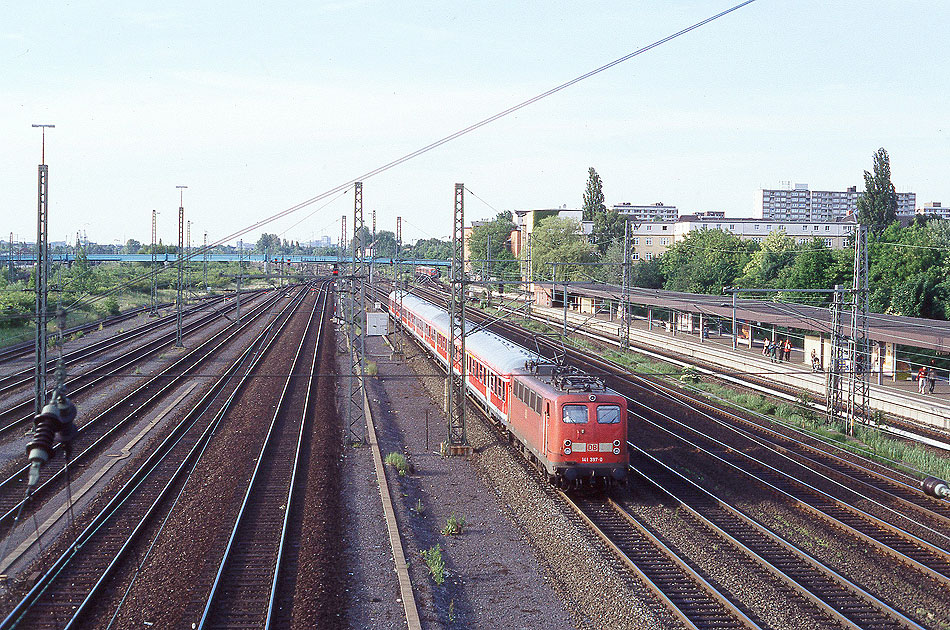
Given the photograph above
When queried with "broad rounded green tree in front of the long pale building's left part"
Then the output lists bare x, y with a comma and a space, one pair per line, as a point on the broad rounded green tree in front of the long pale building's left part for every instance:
705, 261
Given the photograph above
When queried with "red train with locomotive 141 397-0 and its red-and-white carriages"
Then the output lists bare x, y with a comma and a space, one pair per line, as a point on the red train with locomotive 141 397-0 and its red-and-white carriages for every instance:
567, 422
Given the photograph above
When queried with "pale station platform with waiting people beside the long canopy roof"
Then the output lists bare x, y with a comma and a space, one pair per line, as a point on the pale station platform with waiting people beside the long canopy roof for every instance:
893, 397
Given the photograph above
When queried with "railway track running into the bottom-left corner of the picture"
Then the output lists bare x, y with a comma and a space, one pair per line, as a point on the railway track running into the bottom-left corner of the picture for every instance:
84, 575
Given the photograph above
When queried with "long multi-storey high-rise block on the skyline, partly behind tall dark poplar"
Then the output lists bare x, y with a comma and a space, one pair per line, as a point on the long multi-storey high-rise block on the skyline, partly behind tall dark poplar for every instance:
801, 204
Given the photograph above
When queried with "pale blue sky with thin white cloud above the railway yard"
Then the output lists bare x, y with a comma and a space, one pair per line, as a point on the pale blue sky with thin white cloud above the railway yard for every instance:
258, 108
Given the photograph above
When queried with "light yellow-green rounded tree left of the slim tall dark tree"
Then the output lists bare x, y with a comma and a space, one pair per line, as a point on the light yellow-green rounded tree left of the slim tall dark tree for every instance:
561, 241
